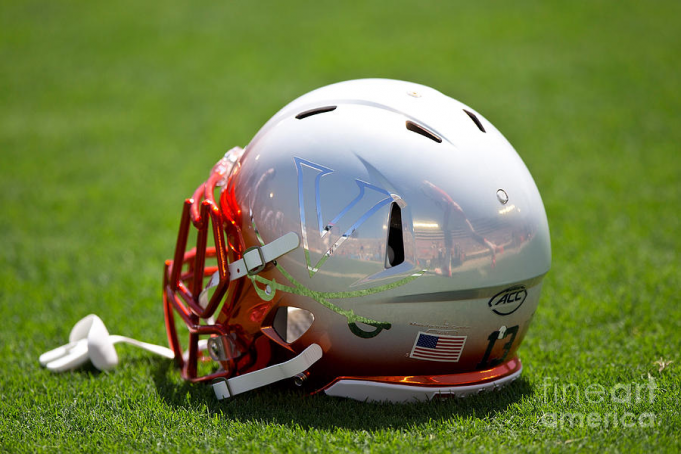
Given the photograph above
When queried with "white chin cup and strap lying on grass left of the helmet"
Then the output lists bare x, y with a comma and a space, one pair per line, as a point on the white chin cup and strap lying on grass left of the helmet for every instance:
89, 339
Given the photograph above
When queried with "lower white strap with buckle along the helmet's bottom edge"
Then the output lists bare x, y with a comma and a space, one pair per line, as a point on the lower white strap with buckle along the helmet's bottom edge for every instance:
225, 388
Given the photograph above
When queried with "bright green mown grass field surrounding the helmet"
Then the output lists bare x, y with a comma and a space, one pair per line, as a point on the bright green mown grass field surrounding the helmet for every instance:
112, 113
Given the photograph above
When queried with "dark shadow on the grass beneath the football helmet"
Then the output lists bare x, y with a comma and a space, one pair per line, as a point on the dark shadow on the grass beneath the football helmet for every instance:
283, 405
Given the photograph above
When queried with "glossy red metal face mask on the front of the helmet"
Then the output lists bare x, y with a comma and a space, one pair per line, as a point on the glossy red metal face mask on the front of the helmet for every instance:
183, 277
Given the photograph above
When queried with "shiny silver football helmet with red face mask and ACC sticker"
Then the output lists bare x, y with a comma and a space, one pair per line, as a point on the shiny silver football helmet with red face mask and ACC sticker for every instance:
376, 240
